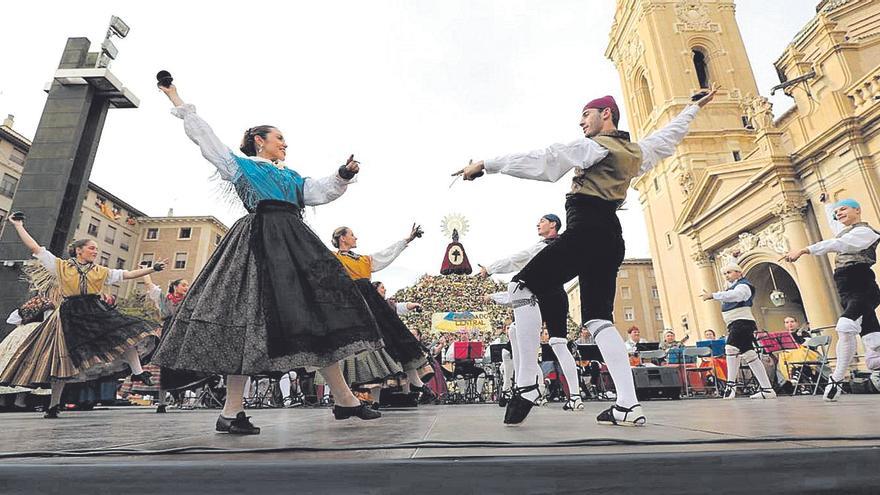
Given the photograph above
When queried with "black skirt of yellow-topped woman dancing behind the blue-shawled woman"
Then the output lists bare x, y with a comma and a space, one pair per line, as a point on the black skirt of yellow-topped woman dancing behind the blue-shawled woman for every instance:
400, 343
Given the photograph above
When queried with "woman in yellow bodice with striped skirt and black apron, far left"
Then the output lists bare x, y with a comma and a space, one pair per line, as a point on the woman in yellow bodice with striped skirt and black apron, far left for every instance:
86, 338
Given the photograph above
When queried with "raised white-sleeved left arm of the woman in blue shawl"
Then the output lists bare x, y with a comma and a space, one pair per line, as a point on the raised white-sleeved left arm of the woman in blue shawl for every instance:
201, 133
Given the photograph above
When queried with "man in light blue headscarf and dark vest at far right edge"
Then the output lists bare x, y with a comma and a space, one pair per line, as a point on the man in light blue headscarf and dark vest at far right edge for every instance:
855, 243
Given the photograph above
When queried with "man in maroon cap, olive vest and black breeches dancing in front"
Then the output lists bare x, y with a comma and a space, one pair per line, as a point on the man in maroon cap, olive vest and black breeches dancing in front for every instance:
591, 248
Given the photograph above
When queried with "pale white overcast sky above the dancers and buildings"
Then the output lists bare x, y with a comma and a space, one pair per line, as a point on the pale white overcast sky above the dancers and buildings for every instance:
412, 88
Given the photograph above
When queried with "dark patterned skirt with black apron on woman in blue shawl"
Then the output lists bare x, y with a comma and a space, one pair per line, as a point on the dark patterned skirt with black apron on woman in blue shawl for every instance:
271, 298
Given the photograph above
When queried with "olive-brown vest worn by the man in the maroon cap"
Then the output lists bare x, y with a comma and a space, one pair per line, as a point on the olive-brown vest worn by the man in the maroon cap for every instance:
610, 178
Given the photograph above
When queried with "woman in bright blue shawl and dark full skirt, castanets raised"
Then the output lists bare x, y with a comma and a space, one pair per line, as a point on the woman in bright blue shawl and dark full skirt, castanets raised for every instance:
272, 298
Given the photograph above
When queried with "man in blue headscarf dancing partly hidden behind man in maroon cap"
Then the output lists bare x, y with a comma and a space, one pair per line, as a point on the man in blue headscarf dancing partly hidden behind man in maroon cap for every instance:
548, 229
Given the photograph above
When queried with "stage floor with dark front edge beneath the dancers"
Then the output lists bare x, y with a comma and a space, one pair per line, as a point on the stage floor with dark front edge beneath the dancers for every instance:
791, 445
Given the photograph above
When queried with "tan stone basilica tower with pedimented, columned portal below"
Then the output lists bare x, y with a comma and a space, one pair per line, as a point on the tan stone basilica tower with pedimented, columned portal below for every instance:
731, 187
